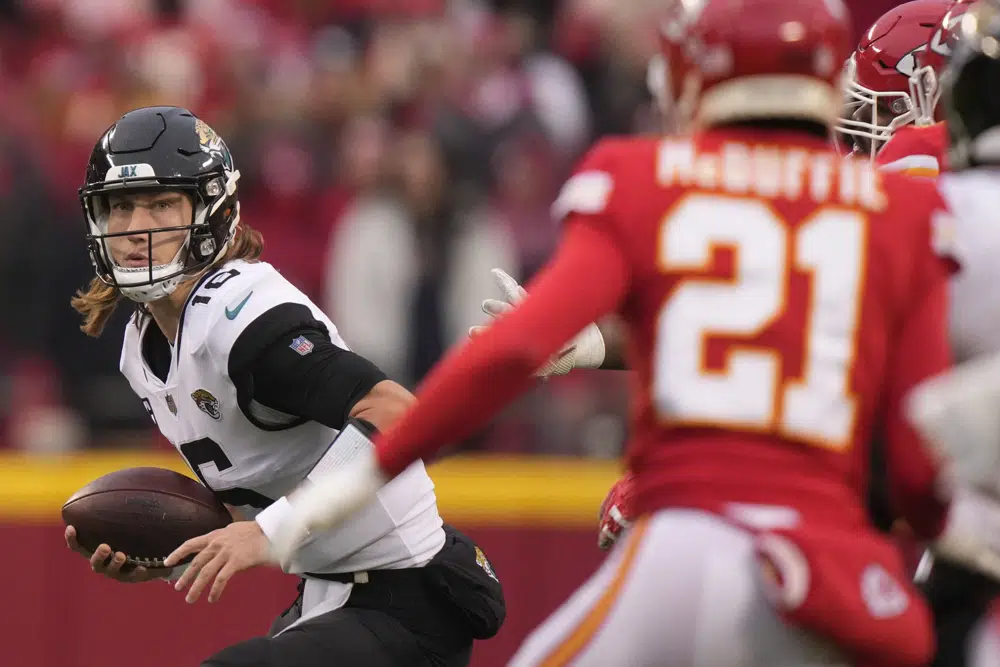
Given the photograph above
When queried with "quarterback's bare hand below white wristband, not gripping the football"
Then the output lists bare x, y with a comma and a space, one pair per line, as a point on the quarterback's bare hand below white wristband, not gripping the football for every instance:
221, 554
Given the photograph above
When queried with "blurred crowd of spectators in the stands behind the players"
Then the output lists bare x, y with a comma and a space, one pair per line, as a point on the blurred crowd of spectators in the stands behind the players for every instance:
392, 152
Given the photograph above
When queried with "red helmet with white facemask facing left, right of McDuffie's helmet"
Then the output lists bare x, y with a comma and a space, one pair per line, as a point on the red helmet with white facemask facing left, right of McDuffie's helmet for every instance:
878, 72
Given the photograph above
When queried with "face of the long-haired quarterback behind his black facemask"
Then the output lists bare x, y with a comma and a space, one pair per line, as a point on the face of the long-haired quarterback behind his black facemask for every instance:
140, 213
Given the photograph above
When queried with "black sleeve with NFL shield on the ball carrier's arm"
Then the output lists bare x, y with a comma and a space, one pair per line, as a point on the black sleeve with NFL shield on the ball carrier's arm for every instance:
284, 360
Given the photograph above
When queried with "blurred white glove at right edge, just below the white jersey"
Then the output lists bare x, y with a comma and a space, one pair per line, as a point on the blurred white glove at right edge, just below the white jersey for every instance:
958, 414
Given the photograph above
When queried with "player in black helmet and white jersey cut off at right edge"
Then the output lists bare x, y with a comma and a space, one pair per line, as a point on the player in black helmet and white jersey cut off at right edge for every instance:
971, 112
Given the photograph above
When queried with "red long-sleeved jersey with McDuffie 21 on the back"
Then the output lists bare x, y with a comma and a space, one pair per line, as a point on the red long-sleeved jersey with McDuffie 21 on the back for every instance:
780, 302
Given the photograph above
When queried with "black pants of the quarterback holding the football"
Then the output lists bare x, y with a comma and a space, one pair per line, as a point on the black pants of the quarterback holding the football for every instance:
419, 617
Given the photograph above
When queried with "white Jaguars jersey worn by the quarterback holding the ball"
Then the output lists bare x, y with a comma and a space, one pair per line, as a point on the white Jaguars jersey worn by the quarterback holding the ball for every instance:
251, 455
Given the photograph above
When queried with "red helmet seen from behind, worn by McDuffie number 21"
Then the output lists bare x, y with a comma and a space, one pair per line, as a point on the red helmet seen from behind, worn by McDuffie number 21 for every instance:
733, 60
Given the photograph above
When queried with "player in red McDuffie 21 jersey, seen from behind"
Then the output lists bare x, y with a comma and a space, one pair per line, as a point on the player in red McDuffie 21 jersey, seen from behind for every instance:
779, 302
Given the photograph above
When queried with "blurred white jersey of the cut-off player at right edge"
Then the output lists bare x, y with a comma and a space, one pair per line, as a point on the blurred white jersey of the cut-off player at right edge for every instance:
975, 314
